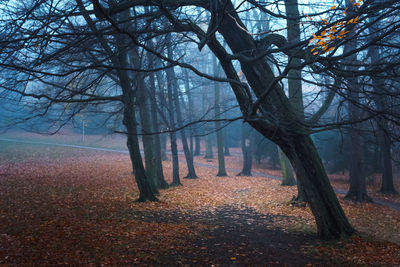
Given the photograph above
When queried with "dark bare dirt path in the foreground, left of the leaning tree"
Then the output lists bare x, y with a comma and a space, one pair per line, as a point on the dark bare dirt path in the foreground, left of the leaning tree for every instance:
238, 237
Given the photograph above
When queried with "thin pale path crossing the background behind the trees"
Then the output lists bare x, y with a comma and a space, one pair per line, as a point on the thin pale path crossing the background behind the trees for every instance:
339, 191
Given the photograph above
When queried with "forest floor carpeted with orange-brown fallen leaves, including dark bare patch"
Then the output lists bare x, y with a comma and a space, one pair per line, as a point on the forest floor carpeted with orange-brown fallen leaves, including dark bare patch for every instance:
61, 205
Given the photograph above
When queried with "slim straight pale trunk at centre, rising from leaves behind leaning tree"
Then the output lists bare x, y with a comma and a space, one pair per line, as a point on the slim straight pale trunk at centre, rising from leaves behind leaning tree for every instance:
217, 111
